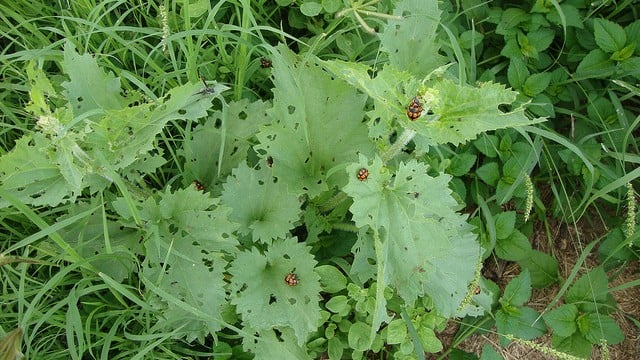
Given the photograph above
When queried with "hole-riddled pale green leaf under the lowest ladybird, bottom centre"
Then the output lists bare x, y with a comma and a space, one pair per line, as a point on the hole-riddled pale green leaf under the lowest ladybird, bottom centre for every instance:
265, 300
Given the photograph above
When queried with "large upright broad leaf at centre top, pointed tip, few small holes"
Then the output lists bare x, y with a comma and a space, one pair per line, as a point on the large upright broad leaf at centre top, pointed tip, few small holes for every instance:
315, 128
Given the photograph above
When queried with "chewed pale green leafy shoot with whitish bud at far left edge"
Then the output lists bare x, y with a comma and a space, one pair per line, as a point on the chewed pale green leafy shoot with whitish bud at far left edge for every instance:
97, 129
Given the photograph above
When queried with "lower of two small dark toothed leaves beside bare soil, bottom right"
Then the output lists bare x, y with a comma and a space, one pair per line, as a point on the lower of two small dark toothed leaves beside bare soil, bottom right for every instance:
525, 324
